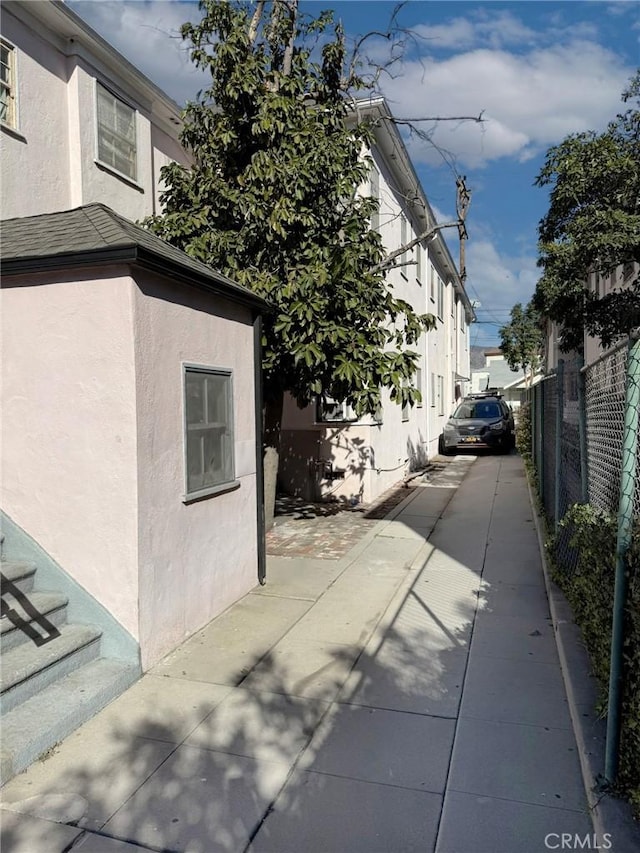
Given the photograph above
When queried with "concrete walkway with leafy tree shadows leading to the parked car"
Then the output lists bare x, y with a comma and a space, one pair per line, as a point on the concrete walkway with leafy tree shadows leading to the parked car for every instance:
406, 697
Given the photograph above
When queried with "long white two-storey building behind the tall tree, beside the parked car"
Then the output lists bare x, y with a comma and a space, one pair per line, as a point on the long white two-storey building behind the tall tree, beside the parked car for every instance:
329, 453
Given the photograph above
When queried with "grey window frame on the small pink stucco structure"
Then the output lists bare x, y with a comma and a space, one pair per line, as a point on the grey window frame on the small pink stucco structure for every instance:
227, 482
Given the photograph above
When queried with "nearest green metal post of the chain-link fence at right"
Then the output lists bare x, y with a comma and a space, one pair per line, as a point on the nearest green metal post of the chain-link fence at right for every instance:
625, 524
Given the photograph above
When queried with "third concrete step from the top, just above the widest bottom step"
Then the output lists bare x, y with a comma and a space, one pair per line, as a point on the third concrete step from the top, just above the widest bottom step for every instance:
30, 668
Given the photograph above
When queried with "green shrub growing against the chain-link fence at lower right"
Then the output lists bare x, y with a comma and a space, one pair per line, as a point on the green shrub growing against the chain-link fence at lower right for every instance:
589, 589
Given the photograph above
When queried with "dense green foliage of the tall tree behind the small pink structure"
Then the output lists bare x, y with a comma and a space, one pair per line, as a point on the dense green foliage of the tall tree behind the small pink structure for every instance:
271, 201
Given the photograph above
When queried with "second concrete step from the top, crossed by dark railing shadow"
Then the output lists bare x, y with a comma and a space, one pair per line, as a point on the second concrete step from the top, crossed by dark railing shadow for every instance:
36, 615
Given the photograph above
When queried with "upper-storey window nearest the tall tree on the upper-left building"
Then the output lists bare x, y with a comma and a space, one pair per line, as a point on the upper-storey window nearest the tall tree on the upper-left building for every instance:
116, 133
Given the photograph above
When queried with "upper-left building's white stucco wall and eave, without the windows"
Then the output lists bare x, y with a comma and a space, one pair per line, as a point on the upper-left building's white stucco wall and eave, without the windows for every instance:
50, 163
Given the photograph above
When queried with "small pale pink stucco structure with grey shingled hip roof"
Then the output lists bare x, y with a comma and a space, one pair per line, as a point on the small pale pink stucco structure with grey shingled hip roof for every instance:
131, 462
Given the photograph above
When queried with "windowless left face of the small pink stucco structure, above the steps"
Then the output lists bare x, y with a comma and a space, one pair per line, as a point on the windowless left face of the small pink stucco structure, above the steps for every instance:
68, 475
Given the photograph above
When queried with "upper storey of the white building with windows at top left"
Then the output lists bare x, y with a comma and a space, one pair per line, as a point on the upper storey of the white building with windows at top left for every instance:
80, 124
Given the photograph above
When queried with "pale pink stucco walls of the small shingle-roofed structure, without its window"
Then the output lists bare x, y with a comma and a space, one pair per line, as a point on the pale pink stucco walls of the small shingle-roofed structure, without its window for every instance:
92, 445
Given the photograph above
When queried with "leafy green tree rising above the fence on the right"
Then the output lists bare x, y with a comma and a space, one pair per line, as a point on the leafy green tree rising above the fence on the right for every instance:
592, 226
